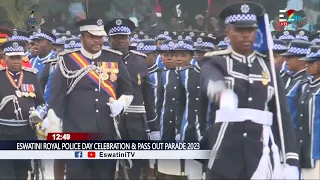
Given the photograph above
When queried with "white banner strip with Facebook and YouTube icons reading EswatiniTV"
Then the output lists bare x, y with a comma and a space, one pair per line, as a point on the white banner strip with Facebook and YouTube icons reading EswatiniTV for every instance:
154, 154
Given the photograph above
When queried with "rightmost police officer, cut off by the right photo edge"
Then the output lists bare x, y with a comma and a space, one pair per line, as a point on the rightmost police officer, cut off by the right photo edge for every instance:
308, 127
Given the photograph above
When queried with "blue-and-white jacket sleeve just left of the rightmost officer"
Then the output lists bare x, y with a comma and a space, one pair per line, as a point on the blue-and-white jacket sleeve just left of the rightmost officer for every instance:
293, 84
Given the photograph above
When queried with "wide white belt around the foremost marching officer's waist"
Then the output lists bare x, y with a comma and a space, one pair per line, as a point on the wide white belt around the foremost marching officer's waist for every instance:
243, 114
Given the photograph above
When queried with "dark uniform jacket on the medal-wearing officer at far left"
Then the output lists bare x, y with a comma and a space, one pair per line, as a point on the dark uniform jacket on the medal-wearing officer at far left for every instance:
11, 124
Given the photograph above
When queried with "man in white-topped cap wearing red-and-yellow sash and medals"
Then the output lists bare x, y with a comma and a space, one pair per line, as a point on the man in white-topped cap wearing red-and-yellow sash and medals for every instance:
106, 80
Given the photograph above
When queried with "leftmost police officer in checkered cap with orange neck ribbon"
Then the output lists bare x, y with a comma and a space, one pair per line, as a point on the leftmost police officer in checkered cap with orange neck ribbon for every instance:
20, 93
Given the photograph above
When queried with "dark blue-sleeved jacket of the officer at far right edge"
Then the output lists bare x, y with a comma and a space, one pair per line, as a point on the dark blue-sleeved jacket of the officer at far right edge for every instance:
308, 123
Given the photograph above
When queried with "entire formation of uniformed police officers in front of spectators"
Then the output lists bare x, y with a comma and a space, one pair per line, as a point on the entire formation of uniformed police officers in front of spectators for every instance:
261, 120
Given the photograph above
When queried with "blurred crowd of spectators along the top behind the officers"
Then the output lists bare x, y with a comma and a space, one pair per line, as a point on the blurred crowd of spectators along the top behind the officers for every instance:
148, 15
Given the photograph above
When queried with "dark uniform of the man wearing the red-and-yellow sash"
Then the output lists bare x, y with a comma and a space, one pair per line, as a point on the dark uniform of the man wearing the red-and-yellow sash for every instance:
84, 109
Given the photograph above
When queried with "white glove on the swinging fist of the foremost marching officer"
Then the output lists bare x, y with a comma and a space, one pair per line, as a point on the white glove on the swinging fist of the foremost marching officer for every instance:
228, 99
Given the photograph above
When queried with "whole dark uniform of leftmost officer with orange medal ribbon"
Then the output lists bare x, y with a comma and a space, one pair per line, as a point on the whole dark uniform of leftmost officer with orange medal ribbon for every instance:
17, 169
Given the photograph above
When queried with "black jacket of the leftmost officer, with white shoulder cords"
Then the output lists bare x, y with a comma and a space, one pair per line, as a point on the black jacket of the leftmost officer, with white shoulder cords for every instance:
26, 103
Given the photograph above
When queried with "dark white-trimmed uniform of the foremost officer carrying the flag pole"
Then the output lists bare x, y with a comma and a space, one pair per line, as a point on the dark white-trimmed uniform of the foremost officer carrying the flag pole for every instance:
245, 76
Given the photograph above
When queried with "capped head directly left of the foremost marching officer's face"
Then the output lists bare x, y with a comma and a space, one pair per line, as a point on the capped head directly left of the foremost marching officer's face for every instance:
202, 45
